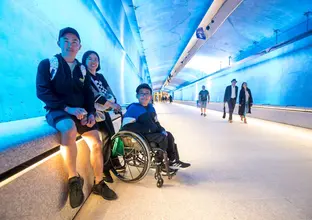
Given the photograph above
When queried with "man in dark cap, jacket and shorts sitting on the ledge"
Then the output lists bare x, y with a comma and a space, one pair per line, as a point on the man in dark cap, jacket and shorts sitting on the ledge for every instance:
63, 85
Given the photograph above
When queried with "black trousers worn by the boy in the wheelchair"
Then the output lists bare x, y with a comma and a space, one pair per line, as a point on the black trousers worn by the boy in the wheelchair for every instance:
164, 142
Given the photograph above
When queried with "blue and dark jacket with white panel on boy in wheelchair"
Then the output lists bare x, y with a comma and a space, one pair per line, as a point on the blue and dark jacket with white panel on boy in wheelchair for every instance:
144, 119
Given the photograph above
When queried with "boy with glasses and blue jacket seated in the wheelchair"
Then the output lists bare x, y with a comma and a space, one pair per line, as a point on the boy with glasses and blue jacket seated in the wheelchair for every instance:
142, 118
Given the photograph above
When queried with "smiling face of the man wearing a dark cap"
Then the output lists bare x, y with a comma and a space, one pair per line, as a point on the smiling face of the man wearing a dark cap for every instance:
69, 44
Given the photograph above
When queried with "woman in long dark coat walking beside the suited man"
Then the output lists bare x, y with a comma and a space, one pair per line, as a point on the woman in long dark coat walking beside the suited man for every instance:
245, 102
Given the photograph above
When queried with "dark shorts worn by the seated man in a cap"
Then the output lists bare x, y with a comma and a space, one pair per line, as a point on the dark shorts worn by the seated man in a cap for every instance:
55, 116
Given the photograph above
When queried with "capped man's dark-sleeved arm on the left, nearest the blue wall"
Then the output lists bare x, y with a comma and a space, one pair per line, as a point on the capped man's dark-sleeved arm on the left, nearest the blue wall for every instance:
43, 87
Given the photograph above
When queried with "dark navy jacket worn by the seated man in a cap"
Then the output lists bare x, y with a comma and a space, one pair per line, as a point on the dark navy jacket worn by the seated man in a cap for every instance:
65, 88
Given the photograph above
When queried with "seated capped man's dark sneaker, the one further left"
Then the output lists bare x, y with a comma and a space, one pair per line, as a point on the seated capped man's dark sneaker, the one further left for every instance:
76, 197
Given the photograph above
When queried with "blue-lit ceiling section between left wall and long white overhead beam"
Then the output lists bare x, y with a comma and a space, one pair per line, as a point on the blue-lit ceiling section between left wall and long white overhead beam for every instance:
165, 28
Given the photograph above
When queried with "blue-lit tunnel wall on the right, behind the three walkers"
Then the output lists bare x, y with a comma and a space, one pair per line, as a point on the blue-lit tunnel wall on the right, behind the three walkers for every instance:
282, 77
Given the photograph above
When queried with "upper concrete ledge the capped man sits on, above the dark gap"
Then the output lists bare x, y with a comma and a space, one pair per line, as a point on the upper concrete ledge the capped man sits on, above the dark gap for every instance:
23, 140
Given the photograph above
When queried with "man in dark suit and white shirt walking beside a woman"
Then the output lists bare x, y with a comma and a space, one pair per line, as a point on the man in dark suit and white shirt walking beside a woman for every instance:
230, 97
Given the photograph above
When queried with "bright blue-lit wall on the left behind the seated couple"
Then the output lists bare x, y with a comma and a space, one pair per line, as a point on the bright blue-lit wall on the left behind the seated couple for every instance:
29, 31
